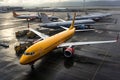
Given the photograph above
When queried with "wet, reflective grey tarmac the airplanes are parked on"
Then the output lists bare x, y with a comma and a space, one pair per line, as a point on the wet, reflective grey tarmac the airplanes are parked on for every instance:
90, 62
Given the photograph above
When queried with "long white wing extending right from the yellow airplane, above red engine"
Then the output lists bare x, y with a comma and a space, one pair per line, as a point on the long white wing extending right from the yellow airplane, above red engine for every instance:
85, 43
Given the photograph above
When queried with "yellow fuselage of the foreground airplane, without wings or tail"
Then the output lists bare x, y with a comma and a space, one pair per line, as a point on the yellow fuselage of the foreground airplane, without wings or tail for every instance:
41, 48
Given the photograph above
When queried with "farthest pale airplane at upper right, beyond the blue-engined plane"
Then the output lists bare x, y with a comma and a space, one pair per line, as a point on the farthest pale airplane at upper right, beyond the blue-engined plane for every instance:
93, 16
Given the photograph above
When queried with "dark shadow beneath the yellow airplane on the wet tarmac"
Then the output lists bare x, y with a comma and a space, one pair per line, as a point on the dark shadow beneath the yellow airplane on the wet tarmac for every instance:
52, 63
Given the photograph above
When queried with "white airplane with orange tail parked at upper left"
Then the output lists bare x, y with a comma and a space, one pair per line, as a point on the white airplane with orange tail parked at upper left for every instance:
32, 17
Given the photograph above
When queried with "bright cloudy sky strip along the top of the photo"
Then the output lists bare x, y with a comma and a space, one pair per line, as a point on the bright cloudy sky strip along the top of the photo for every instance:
36, 2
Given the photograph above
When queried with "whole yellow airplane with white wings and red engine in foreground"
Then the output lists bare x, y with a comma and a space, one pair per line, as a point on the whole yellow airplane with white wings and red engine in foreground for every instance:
39, 49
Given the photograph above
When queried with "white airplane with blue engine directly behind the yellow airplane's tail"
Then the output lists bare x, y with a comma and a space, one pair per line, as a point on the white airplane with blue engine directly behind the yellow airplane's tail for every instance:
78, 23
